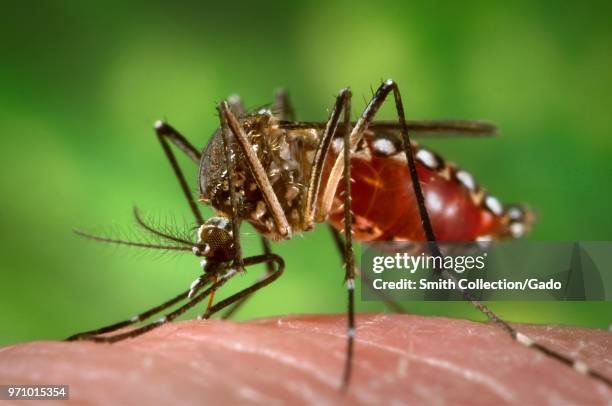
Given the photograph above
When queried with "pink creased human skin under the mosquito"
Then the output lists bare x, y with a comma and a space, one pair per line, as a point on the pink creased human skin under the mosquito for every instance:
399, 359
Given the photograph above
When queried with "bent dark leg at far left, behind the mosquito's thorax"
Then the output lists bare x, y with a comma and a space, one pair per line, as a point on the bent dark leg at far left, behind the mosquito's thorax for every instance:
166, 132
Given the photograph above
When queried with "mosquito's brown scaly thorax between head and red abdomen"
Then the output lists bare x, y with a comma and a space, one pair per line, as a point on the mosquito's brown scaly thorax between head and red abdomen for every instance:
286, 157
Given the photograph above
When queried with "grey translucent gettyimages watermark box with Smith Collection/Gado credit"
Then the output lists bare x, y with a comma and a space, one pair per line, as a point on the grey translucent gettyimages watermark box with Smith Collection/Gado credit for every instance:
513, 270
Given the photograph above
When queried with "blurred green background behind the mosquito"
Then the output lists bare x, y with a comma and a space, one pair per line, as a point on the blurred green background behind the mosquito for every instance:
82, 84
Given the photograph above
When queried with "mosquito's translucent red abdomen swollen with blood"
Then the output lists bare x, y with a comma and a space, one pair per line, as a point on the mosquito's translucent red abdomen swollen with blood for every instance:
385, 207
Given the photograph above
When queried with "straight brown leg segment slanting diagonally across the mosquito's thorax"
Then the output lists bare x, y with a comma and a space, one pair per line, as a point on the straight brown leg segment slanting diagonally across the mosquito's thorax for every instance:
261, 178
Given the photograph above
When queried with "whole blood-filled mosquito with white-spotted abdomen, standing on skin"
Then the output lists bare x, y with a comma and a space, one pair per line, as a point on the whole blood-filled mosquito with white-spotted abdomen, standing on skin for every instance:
367, 179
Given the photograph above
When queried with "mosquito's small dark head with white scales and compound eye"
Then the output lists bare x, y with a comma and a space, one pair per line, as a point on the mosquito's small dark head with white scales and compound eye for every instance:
215, 240
